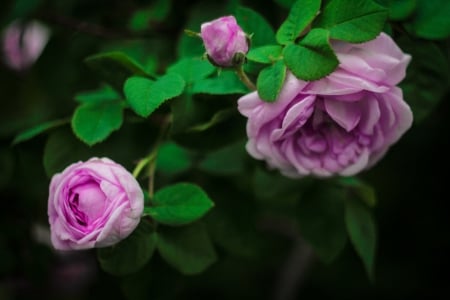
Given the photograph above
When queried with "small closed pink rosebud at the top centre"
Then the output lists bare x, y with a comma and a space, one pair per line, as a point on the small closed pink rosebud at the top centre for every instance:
223, 38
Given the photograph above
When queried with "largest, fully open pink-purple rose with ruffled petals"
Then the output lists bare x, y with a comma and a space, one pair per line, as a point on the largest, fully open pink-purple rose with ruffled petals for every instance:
338, 125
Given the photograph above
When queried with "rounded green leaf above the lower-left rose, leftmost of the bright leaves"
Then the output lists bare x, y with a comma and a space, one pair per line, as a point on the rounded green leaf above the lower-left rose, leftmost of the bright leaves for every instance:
93, 123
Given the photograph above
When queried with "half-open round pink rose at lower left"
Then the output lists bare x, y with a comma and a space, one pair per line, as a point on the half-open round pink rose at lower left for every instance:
91, 204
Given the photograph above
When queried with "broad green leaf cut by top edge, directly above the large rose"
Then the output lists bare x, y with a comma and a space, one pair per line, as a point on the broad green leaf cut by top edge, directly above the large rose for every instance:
354, 21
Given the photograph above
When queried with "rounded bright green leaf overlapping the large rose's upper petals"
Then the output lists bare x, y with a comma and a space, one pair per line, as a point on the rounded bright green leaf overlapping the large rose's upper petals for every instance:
313, 58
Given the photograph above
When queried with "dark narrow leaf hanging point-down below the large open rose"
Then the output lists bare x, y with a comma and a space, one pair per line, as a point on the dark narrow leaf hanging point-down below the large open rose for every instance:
362, 232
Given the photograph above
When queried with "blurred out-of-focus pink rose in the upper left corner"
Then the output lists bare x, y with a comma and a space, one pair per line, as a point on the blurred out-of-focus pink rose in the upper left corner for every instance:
24, 43
